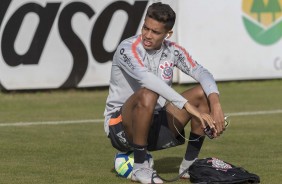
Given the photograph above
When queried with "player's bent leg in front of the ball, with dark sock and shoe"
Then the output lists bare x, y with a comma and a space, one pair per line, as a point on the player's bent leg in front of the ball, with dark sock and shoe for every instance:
137, 115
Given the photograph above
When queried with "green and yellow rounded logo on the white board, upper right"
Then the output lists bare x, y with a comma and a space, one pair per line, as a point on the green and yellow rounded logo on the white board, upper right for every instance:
263, 20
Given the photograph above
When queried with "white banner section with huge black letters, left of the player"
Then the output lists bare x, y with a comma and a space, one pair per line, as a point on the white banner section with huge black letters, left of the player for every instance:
26, 67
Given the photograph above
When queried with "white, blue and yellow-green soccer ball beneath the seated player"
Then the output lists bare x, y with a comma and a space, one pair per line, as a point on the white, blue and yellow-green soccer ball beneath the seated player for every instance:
123, 163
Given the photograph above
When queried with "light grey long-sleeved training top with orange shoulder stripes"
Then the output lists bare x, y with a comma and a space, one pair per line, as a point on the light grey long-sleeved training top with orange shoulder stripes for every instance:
133, 67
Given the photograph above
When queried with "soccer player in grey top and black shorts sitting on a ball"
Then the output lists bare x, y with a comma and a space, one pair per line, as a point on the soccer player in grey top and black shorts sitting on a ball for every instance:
143, 112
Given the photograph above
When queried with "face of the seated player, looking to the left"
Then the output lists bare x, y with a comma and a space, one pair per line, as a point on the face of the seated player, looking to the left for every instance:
153, 34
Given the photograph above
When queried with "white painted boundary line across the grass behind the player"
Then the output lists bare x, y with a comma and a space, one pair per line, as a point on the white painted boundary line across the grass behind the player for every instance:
277, 111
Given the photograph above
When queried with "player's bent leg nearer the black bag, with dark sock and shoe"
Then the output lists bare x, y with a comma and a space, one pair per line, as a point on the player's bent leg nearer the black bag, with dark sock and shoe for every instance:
180, 118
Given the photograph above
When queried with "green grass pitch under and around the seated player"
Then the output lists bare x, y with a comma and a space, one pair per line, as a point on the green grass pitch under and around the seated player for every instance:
58, 136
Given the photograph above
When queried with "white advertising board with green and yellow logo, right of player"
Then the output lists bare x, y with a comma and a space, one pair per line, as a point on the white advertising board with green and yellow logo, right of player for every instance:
235, 40
